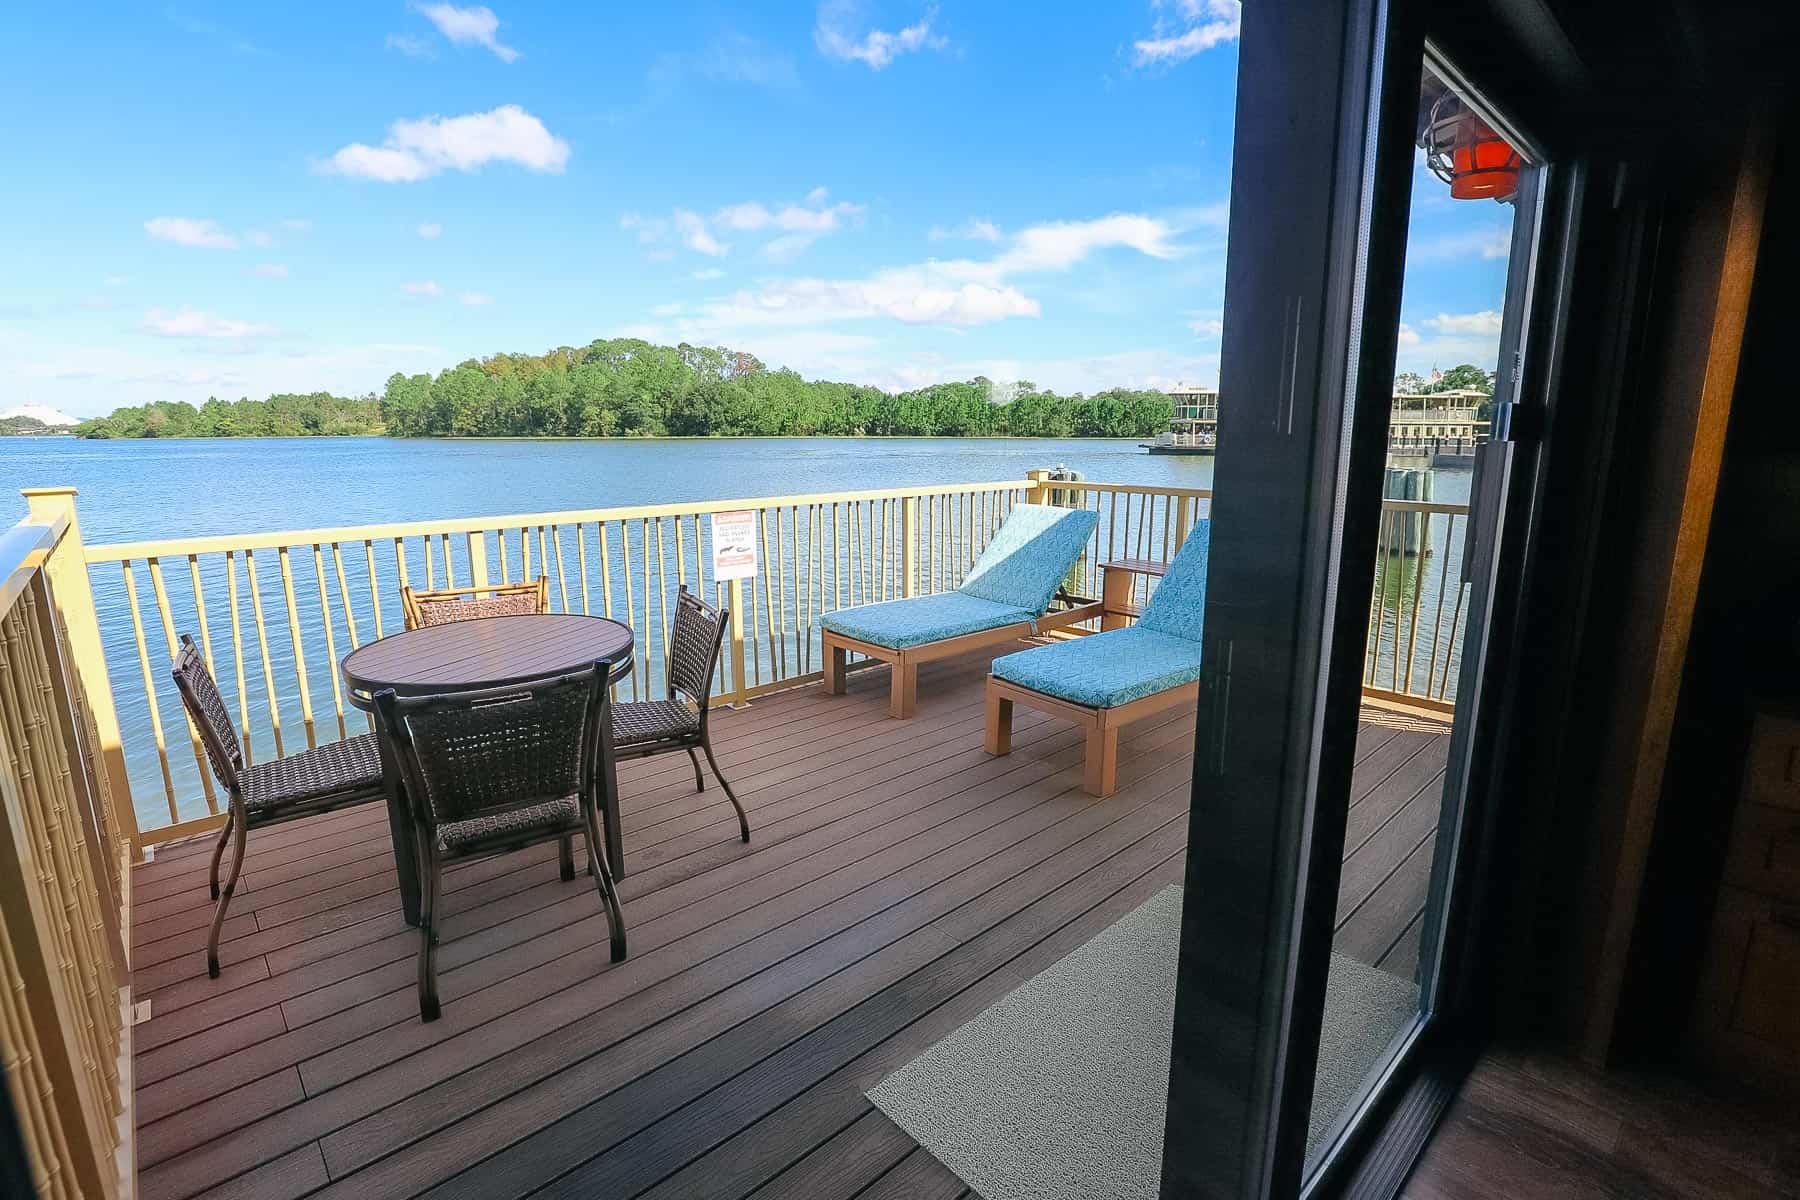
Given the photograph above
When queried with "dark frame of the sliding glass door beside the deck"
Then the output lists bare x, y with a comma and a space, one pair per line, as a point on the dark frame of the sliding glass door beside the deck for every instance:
1322, 175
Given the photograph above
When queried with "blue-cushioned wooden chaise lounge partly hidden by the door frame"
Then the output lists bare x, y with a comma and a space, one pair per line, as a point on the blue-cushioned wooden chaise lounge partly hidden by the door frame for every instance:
1110, 681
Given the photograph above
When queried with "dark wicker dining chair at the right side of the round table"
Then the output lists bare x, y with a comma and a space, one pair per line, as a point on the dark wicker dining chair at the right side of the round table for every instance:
647, 728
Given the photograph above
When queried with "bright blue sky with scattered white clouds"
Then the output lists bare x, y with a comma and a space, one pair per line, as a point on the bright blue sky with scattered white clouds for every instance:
242, 199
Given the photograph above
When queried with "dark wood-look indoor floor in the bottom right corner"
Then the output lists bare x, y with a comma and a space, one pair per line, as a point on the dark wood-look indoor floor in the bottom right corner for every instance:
1536, 1124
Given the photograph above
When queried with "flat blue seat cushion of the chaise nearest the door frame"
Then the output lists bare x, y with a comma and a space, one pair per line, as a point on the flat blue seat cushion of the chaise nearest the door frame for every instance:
1106, 670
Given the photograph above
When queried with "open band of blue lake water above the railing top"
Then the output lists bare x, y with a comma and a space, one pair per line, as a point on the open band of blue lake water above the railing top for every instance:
208, 487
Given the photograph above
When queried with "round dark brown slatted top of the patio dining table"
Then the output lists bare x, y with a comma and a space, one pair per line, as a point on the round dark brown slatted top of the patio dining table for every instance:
485, 654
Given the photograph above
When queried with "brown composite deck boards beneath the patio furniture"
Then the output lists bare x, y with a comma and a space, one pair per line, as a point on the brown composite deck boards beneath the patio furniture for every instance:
899, 882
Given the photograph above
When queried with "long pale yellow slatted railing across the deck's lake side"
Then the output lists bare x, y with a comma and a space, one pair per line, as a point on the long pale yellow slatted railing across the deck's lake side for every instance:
276, 613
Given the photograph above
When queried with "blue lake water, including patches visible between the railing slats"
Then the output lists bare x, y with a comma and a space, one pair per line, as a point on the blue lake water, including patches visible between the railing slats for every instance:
134, 490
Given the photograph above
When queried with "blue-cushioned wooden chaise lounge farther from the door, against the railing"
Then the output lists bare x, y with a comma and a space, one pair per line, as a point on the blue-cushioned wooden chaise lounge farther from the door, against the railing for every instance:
1007, 596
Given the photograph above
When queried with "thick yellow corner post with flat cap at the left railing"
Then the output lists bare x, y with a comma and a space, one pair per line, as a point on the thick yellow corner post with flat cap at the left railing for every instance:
67, 571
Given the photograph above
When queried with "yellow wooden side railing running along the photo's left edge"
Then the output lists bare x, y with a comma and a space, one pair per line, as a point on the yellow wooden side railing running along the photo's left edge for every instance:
64, 888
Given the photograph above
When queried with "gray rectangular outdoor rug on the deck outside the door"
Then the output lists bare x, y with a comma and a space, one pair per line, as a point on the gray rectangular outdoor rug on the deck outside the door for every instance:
1059, 1089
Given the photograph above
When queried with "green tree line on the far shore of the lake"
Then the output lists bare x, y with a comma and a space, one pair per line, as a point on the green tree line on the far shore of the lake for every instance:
627, 388
